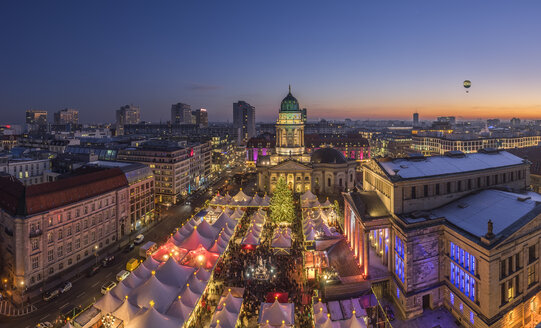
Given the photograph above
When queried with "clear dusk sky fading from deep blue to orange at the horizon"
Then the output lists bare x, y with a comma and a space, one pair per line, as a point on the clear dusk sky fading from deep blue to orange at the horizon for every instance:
356, 59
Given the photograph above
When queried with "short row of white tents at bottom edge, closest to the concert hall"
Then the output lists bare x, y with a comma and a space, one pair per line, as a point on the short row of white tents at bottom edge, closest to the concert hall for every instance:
340, 314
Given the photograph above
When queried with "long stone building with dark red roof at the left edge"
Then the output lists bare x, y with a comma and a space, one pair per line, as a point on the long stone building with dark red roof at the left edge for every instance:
50, 228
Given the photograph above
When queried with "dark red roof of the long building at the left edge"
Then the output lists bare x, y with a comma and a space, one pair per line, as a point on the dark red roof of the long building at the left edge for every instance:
20, 200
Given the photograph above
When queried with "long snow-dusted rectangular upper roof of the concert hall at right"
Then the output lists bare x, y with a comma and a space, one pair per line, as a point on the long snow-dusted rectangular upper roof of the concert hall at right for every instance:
440, 165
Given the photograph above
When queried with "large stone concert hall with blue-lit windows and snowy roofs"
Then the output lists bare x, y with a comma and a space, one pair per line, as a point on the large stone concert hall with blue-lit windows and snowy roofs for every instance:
458, 231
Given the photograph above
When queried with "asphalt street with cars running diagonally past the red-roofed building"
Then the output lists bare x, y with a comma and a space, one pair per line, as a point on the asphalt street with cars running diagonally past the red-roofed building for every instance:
87, 290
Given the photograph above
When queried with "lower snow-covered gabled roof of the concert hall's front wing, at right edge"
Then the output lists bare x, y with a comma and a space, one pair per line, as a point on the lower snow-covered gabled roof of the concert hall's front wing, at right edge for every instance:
471, 213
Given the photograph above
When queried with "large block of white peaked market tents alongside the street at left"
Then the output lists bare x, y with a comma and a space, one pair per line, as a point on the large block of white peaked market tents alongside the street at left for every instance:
164, 290
